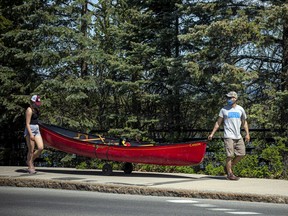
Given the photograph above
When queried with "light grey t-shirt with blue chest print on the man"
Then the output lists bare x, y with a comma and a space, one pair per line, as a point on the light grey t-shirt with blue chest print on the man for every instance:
232, 118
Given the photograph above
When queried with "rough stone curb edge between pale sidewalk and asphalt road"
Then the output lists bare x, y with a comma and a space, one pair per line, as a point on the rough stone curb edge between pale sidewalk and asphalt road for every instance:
139, 190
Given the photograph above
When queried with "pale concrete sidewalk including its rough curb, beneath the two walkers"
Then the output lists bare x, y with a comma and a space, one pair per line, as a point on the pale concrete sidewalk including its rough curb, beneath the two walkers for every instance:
155, 184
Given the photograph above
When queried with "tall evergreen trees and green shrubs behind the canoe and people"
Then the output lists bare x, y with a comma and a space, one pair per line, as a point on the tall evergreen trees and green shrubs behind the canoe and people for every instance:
134, 68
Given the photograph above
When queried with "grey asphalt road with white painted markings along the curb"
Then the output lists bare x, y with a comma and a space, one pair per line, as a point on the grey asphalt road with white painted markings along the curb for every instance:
34, 201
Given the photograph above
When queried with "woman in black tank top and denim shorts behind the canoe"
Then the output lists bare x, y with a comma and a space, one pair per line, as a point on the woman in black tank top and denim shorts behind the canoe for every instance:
32, 133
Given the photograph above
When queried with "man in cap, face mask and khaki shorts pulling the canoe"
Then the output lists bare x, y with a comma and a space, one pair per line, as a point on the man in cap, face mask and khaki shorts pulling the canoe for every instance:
233, 116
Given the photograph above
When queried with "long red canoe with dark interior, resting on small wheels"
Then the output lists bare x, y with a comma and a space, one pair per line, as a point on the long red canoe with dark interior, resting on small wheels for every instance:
95, 146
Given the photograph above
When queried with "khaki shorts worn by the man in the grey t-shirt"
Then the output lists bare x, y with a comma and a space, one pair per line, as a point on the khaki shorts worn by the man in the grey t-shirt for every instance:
234, 147
